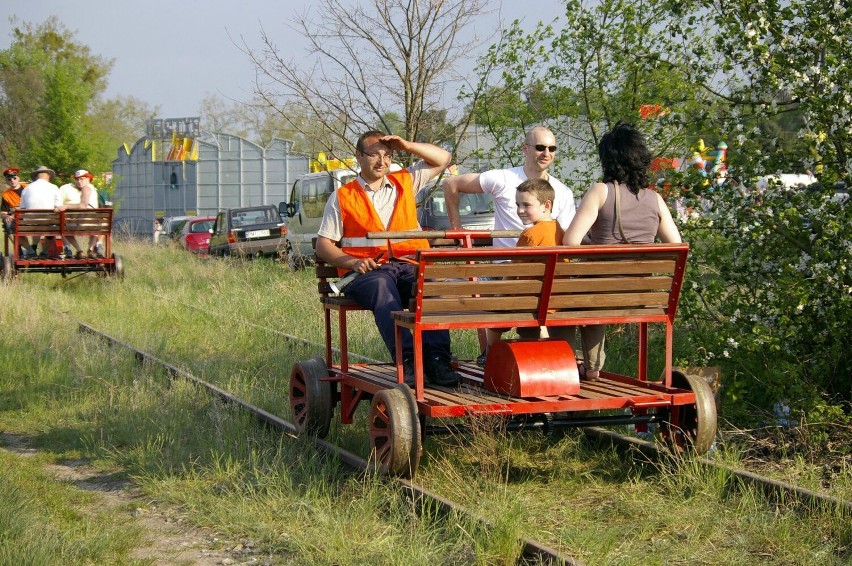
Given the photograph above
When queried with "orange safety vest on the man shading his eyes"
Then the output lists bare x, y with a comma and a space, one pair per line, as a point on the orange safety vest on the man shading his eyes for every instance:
359, 217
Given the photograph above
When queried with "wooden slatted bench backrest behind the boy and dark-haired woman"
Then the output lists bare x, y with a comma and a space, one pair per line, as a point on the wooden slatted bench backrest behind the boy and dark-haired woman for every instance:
588, 284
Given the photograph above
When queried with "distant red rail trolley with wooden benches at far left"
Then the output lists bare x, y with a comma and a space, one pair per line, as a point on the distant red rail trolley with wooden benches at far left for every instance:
79, 223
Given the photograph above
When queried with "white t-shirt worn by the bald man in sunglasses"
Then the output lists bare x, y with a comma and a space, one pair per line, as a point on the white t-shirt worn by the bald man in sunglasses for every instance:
501, 184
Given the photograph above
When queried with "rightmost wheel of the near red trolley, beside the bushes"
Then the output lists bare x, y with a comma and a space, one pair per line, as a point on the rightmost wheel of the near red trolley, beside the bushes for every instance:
692, 426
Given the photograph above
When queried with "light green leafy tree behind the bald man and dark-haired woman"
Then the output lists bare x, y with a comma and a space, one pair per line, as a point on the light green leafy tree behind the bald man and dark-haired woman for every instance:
580, 75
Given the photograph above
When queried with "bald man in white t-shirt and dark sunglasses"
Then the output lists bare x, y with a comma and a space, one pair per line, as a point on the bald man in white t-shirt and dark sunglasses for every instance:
539, 148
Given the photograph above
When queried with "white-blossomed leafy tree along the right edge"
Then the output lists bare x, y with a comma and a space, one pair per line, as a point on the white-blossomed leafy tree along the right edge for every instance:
778, 311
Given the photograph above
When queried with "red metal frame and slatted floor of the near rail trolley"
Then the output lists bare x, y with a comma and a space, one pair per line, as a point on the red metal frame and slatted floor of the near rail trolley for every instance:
614, 391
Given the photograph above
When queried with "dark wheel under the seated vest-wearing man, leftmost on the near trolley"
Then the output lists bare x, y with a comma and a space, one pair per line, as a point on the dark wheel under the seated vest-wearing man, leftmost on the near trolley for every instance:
311, 397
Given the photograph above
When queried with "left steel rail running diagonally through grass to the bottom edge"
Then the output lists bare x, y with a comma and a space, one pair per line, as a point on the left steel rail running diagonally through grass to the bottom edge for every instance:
532, 552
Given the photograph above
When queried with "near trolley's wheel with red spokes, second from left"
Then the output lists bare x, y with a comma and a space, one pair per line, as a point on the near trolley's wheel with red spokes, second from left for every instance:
395, 438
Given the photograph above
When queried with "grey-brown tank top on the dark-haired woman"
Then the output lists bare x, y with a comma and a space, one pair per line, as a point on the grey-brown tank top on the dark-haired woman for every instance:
640, 217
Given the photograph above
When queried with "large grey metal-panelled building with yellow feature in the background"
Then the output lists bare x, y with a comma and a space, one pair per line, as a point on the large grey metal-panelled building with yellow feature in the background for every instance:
177, 169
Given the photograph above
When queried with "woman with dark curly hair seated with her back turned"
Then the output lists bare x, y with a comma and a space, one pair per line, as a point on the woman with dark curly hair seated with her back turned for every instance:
619, 210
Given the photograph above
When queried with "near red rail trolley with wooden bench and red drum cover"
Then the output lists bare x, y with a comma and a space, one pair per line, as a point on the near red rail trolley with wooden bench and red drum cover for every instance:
558, 286
